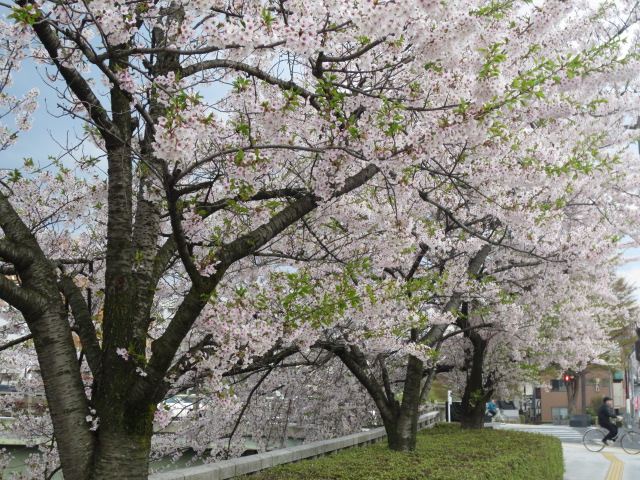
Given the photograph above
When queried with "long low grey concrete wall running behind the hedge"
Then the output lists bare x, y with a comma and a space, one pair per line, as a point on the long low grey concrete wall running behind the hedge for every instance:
236, 467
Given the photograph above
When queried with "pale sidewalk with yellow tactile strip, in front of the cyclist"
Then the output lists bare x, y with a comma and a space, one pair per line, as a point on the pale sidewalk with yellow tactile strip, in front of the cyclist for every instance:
612, 463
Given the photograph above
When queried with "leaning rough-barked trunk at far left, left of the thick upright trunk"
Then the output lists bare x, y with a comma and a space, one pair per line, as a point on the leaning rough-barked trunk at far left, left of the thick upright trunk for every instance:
38, 300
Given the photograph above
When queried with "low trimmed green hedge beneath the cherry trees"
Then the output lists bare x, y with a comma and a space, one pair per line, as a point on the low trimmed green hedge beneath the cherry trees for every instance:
445, 452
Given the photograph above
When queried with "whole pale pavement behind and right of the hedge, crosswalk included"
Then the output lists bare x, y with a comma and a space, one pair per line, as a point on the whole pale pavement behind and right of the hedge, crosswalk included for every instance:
612, 463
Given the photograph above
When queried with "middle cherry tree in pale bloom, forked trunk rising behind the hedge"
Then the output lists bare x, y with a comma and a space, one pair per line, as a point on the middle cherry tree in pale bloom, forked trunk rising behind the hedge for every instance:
573, 204
